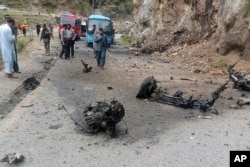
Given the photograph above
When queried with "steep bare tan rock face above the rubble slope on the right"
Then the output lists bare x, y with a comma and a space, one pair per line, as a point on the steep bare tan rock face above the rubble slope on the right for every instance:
219, 20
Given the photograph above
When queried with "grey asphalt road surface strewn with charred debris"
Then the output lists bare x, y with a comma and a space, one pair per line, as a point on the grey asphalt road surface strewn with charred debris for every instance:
159, 135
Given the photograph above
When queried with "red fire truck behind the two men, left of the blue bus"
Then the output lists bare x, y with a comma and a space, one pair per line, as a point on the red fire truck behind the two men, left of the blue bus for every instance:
68, 18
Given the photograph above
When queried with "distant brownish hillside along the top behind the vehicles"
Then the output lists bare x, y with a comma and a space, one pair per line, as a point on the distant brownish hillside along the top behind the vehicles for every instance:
112, 8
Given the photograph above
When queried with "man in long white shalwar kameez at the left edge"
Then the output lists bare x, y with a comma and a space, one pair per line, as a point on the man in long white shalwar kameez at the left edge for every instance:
7, 46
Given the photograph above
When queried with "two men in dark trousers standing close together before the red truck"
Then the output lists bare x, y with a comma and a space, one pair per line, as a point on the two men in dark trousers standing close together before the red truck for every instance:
67, 38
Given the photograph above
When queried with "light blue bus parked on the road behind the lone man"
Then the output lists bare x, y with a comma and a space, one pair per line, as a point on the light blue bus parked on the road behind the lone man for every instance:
101, 22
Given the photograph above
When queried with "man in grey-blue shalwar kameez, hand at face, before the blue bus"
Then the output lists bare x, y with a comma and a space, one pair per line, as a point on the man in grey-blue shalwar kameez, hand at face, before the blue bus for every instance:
100, 47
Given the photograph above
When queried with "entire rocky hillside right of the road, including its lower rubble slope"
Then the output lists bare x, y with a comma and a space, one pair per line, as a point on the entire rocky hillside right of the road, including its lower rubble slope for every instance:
170, 28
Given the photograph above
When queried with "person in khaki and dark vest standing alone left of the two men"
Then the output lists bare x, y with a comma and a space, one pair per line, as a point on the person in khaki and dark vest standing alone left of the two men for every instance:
46, 36
